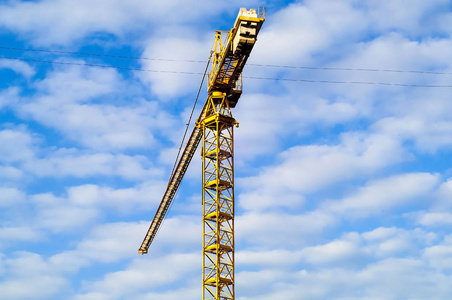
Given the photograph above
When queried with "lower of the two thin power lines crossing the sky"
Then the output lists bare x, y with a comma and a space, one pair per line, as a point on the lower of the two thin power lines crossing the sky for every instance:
249, 77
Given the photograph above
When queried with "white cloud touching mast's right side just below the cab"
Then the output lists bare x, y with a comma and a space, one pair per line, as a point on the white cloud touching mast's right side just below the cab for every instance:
265, 121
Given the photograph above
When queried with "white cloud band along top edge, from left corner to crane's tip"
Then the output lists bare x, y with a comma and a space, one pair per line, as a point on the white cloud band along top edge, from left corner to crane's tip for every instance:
36, 20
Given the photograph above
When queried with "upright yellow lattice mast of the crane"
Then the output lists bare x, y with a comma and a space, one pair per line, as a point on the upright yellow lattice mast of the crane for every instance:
218, 199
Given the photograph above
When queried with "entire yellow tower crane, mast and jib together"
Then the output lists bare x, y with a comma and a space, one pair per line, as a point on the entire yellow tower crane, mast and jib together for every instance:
214, 127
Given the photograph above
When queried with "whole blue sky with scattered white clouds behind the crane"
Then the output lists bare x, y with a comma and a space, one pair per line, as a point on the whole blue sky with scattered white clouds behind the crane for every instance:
343, 190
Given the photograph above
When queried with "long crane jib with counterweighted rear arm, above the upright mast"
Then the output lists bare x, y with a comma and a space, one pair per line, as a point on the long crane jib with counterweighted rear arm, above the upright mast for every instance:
229, 59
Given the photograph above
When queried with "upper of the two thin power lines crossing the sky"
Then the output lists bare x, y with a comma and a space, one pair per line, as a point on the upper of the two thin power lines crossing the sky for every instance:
249, 64
